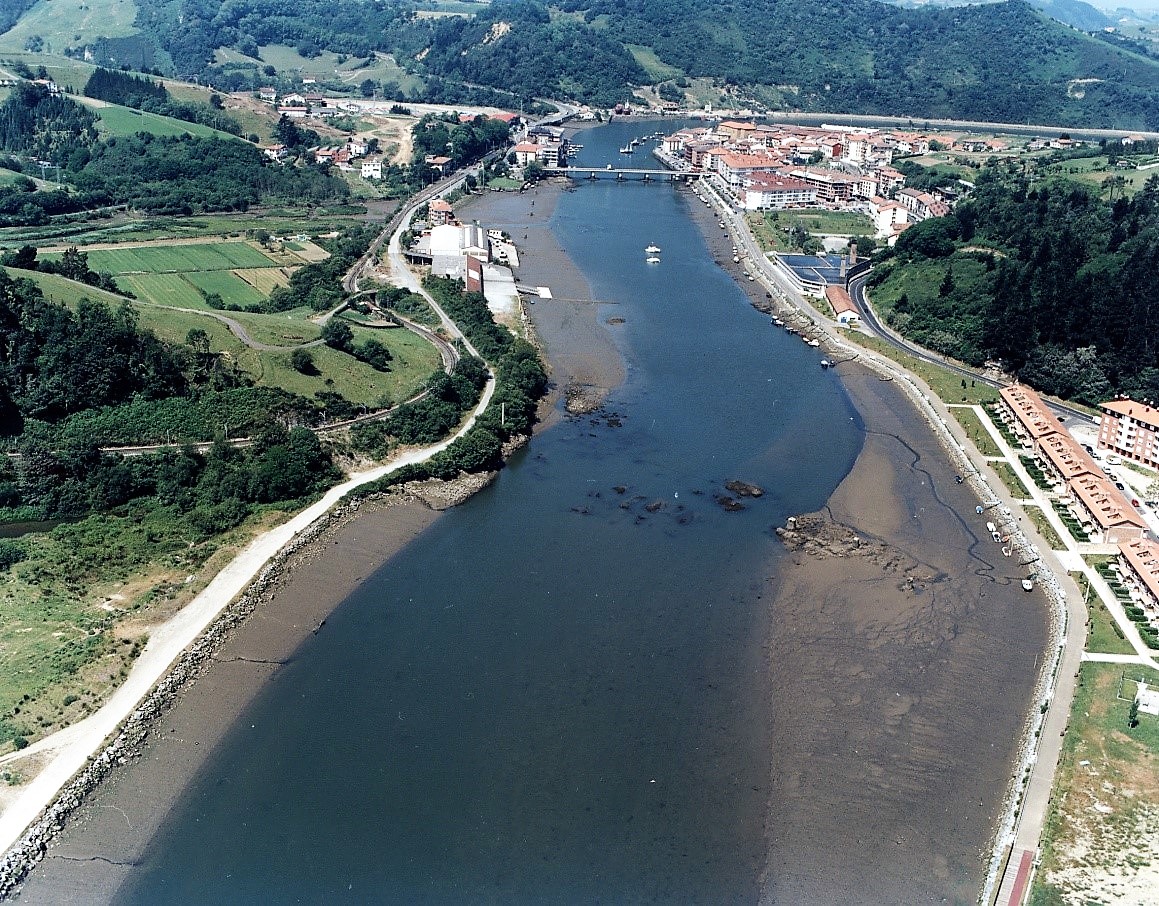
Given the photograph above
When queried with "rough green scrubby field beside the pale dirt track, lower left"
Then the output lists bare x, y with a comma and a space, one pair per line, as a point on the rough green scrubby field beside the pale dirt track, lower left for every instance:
78, 611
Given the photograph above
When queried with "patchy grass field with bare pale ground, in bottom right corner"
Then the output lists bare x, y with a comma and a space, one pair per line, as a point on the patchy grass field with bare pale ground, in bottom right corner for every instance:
1102, 842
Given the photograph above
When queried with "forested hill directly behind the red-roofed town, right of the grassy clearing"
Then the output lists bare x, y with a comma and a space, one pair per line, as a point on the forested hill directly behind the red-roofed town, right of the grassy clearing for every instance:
998, 62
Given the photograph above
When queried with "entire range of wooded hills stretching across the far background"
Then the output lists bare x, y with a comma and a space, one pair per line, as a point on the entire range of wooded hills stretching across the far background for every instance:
998, 62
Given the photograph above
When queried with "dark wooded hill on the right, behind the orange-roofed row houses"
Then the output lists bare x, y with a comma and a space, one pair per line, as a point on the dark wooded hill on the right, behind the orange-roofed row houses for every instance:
1047, 276
